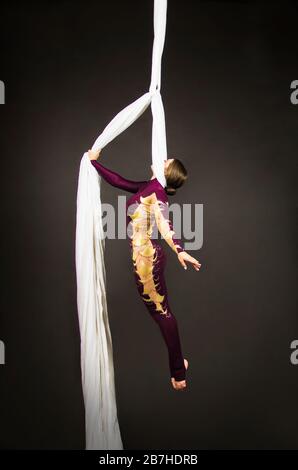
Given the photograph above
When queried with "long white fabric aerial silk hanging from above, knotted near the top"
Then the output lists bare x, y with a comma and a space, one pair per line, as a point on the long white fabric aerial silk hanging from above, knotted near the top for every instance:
102, 427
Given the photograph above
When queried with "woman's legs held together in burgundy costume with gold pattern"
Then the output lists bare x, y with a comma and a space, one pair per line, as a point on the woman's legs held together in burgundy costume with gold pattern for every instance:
153, 290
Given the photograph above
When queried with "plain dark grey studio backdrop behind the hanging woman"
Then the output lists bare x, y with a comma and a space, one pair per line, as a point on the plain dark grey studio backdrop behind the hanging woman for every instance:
69, 67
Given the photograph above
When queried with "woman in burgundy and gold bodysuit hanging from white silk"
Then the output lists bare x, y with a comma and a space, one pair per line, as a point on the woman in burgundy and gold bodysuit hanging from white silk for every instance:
147, 205
